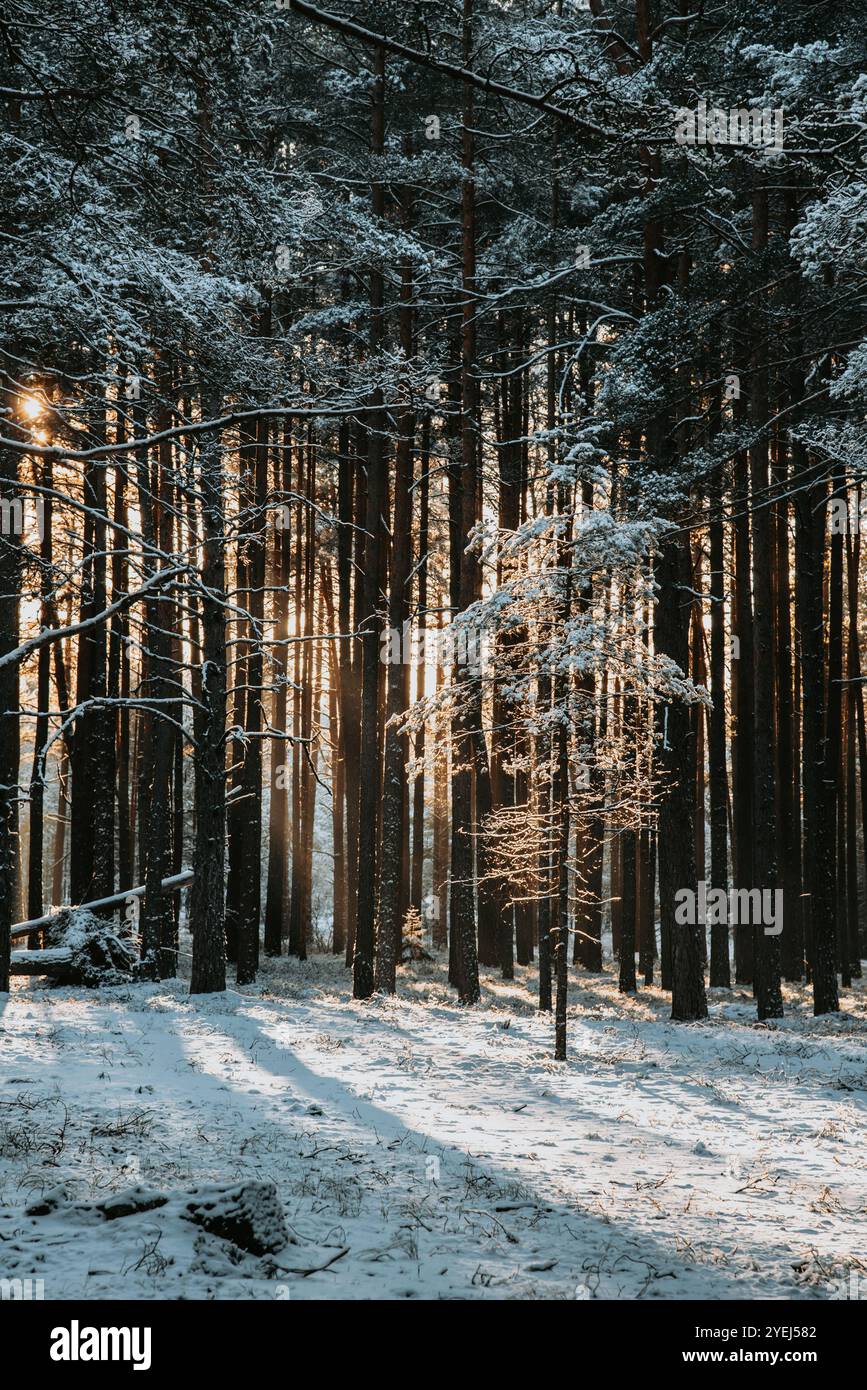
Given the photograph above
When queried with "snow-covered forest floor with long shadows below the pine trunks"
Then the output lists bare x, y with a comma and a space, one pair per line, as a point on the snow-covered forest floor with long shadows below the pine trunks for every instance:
423, 1150
